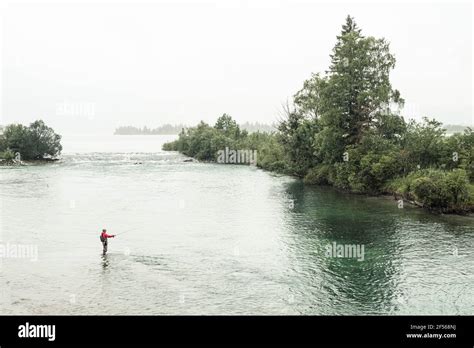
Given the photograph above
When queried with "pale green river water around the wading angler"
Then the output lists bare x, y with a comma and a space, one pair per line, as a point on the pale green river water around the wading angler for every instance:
216, 239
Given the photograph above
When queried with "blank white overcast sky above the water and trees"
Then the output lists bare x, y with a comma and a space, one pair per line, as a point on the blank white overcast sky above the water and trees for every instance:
94, 66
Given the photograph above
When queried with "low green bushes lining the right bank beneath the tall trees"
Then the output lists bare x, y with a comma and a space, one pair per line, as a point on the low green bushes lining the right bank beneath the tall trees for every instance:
444, 188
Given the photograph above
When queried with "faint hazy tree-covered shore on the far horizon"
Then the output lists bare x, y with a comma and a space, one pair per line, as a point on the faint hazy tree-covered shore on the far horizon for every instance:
168, 129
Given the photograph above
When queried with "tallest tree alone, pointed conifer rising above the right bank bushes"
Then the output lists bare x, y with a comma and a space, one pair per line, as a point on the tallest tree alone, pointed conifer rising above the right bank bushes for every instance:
358, 86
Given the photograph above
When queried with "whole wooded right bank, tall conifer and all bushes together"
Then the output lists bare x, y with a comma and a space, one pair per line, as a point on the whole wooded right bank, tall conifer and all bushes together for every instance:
344, 128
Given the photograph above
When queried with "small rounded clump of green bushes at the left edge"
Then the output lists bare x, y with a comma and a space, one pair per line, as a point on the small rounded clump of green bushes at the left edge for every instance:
37, 141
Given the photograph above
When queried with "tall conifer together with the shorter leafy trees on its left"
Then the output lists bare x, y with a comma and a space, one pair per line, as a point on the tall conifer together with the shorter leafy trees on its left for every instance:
337, 111
